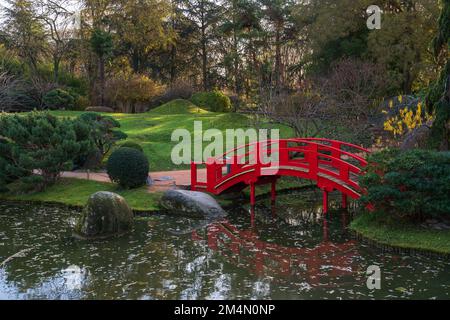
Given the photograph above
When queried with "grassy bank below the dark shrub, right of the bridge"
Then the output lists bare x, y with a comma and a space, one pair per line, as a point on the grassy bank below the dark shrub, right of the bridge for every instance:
407, 236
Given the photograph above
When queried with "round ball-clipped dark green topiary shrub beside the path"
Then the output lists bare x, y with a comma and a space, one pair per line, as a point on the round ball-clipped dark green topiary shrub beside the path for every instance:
128, 167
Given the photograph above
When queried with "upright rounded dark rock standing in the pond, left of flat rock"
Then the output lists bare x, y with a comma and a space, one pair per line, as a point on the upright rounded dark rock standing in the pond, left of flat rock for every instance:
106, 214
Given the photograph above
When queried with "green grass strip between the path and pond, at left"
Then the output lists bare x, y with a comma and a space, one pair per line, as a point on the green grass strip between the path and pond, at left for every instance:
76, 192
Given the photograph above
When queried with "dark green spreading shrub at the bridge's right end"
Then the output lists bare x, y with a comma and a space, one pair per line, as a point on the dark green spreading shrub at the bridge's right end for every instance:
413, 184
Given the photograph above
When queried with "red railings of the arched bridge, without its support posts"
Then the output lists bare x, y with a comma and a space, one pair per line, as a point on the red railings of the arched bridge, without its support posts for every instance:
315, 155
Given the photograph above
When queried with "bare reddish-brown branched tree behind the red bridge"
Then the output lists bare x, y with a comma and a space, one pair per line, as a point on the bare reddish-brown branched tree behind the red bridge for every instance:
338, 105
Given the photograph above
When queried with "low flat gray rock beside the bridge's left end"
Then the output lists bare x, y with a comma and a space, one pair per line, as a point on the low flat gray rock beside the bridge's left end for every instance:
192, 204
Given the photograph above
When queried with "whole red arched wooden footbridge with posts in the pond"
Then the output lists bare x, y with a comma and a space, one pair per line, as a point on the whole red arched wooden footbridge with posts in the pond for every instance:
333, 165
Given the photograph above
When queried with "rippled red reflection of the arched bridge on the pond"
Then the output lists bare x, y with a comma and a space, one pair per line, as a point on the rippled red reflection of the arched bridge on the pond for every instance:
315, 263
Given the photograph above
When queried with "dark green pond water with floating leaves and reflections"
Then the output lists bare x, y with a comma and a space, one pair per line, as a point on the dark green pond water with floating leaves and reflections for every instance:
287, 251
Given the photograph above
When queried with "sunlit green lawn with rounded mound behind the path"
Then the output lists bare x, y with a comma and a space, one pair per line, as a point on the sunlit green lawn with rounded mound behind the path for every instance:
153, 129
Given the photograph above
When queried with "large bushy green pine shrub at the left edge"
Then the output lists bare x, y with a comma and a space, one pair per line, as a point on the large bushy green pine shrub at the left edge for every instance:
42, 142
